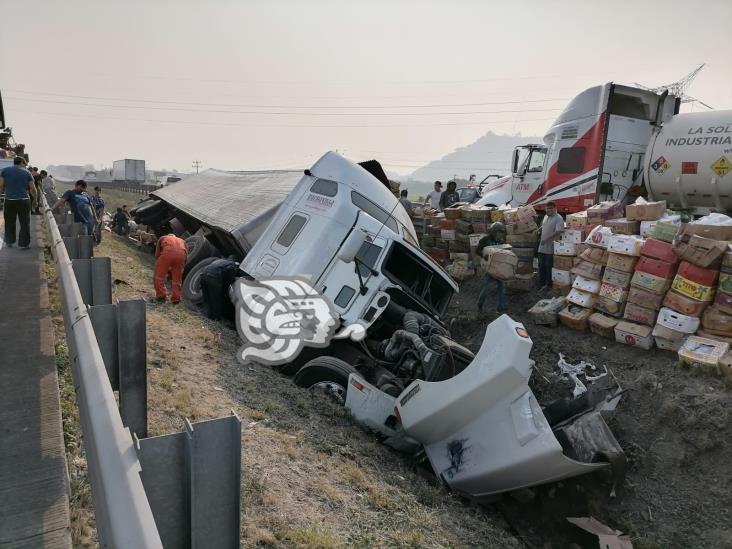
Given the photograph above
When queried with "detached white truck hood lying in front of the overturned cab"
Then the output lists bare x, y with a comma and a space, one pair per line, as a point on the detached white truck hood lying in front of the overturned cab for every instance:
484, 431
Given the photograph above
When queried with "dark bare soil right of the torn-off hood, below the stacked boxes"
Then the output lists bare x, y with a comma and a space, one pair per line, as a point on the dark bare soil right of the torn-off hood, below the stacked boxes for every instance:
674, 424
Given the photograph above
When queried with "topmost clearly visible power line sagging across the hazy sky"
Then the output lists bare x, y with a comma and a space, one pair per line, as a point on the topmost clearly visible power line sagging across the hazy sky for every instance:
258, 106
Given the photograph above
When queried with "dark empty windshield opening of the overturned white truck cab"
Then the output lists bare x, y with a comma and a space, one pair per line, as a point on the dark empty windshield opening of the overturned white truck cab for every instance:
417, 278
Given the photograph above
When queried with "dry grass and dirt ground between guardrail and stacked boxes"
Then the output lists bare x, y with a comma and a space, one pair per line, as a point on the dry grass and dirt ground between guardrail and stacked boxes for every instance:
311, 478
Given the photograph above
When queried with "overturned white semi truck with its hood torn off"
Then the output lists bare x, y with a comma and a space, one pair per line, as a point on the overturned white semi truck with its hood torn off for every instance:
341, 229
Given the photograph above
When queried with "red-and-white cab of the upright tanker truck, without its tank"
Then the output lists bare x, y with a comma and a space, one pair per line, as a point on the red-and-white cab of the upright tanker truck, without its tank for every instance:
594, 151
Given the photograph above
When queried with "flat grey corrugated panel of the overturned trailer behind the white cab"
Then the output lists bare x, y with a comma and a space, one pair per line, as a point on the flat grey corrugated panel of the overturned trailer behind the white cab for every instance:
233, 203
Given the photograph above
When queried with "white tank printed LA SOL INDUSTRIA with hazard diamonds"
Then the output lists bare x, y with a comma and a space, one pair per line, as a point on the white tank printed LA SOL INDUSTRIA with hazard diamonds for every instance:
688, 162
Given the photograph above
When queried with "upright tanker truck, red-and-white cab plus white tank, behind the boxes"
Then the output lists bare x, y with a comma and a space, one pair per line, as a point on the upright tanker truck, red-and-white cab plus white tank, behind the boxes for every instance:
610, 141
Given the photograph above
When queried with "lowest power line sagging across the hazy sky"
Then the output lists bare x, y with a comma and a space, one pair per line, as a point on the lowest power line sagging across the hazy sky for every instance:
259, 125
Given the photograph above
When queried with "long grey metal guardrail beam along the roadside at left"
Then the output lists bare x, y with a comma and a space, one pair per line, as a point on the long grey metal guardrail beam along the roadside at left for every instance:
123, 514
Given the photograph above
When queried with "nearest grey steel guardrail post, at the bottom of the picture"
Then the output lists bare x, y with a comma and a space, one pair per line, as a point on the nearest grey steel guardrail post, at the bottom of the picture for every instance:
193, 483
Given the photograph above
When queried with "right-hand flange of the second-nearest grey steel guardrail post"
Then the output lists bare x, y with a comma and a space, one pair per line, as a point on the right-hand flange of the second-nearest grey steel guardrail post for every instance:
132, 344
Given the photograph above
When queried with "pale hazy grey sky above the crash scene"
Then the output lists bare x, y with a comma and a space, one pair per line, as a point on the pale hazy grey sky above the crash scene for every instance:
182, 67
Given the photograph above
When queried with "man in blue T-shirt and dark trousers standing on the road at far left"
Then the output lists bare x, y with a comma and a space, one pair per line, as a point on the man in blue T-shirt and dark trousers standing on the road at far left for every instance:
19, 187
